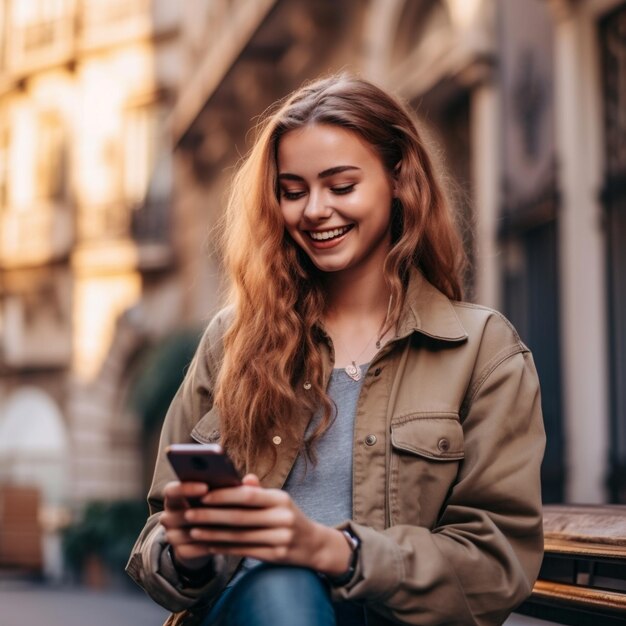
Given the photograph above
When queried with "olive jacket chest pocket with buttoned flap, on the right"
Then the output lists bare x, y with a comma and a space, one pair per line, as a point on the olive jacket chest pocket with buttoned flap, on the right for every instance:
427, 449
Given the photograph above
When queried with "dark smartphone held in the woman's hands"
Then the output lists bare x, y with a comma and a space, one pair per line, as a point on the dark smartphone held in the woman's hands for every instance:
204, 463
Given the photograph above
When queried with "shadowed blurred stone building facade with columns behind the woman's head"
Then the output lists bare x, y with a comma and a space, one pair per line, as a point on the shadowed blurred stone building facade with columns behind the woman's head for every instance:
526, 103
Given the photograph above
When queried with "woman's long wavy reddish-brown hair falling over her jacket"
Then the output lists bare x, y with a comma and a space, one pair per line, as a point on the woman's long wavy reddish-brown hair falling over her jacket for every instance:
273, 342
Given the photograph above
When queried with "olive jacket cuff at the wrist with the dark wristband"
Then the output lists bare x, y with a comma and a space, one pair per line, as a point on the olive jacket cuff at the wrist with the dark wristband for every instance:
379, 568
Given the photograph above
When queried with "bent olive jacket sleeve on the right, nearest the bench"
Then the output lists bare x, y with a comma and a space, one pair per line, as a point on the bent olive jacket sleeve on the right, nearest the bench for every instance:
482, 558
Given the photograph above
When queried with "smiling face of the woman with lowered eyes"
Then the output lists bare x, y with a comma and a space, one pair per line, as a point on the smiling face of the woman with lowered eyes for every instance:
335, 197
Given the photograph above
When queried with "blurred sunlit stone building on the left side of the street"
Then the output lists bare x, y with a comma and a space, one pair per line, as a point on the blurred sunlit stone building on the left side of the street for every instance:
85, 233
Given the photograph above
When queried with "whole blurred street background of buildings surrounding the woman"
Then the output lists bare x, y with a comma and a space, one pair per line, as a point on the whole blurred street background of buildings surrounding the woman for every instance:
120, 124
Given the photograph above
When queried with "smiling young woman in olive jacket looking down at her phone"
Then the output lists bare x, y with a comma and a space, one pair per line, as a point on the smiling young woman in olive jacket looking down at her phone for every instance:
391, 434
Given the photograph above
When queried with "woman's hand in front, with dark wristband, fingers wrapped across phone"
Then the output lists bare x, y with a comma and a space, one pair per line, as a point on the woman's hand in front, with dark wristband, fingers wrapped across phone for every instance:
265, 524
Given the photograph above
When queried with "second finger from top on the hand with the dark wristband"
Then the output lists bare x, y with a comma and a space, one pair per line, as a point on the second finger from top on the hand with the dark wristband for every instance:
240, 517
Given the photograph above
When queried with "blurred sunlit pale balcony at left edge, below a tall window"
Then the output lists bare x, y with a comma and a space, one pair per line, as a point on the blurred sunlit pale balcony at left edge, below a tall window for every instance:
35, 235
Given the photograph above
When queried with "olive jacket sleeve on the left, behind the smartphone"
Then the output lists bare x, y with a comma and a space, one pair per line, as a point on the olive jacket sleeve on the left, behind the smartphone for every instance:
150, 565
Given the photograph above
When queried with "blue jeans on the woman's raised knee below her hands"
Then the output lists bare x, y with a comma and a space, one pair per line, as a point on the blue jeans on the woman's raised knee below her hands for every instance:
272, 595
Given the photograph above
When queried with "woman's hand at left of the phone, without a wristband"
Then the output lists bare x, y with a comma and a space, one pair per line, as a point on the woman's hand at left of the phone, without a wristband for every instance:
189, 554
